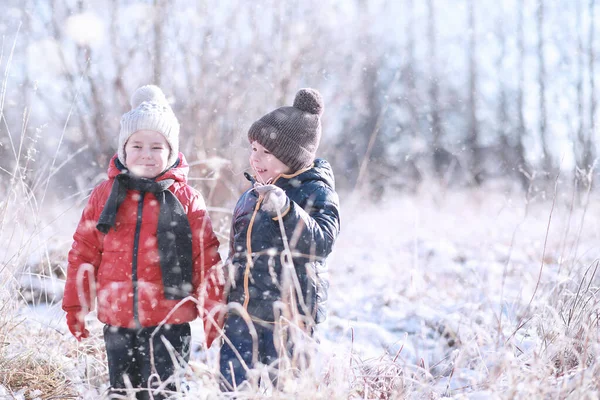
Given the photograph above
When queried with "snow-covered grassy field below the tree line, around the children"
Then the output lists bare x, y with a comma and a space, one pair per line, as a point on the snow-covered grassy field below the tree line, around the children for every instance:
471, 294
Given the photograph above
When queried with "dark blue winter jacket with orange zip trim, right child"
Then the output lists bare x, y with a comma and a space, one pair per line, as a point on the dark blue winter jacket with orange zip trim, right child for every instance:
310, 227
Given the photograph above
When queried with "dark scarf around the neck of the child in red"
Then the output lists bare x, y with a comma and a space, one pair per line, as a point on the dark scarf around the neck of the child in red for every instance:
174, 233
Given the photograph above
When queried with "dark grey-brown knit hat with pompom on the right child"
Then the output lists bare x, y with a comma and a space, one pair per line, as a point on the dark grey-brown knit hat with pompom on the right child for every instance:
292, 134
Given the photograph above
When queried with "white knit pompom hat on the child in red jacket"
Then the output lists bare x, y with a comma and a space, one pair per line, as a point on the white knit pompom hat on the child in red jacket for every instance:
150, 110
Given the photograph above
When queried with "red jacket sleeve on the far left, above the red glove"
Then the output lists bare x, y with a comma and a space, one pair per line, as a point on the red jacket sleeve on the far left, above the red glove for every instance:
84, 258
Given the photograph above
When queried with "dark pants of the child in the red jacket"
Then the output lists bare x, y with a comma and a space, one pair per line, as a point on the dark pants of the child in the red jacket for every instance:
128, 352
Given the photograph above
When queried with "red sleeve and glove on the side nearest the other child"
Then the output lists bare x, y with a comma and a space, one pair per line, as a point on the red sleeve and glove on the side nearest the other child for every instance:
208, 269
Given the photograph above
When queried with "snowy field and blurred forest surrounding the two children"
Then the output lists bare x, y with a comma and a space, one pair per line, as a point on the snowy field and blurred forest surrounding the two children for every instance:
463, 139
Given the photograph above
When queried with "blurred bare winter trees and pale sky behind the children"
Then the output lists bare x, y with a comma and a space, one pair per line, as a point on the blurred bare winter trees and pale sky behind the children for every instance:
464, 92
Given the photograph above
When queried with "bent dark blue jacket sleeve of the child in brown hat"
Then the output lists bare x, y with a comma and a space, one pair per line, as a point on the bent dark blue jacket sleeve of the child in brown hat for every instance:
312, 230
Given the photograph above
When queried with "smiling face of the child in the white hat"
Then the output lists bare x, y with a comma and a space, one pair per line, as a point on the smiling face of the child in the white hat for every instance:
146, 153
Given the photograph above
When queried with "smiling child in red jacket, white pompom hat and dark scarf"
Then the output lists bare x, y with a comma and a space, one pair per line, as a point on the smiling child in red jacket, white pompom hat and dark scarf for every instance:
143, 250
